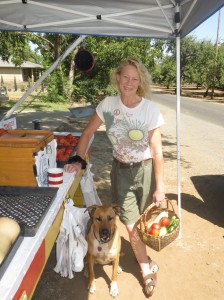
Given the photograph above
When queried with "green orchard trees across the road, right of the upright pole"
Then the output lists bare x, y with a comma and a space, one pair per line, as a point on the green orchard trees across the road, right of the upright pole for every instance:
201, 63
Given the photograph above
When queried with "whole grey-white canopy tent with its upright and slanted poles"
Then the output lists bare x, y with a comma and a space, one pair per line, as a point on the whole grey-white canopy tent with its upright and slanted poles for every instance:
161, 19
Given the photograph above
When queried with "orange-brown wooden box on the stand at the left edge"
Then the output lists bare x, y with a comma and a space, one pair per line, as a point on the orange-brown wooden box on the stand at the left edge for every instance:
17, 155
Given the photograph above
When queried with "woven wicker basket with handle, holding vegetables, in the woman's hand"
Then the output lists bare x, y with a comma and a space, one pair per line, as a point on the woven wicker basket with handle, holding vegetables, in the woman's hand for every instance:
156, 242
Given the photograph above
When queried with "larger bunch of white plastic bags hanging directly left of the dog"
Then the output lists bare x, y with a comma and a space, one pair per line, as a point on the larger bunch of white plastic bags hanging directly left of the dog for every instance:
71, 245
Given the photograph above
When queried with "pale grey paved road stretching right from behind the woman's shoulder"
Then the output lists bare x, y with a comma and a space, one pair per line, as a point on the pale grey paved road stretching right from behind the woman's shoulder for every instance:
211, 112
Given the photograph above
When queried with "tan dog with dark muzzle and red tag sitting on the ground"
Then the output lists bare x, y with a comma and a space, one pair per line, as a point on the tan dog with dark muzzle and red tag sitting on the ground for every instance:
104, 243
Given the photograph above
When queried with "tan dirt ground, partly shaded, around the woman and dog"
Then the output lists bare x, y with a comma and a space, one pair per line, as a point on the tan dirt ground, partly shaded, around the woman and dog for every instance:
191, 267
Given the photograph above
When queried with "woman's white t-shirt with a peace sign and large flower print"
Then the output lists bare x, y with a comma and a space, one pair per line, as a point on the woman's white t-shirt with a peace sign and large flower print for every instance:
128, 128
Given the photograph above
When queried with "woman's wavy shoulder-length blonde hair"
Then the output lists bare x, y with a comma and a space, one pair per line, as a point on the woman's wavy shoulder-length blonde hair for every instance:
144, 88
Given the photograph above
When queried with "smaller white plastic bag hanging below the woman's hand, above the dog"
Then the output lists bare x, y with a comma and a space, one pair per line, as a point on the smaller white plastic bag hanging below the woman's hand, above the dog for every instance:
87, 185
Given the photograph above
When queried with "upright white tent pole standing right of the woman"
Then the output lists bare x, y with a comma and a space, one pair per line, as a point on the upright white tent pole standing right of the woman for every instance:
178, 84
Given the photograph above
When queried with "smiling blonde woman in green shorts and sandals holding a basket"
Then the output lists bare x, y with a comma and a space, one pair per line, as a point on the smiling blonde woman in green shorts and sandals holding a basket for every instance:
132, 125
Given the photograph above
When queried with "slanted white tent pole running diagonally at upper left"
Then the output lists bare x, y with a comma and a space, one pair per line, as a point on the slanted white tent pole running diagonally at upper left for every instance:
51, 69
